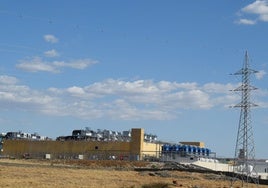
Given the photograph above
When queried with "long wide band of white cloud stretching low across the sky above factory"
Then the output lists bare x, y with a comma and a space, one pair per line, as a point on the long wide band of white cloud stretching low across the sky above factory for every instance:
118, 99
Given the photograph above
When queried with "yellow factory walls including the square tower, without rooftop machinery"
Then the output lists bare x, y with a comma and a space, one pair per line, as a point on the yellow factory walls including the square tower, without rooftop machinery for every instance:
135, 149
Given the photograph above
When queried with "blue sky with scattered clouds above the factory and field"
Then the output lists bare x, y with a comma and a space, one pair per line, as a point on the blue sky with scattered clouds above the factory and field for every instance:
164, 66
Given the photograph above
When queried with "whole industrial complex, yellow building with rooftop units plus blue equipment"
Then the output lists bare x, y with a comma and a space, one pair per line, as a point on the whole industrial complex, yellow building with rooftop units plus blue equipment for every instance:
111, 145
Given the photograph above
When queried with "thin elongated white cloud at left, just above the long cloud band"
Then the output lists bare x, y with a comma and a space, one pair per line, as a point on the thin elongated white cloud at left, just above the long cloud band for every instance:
36, 64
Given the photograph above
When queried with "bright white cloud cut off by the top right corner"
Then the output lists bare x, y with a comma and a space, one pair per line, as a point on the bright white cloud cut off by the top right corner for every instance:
258, 8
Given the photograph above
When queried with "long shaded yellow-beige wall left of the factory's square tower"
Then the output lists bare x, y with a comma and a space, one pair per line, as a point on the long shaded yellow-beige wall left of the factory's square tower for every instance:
19, 147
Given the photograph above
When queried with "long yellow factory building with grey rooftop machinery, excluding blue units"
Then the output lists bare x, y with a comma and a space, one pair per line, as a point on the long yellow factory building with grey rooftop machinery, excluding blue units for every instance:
81, 145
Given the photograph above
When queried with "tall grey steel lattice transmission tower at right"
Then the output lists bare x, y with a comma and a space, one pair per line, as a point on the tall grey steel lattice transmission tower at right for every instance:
244, 161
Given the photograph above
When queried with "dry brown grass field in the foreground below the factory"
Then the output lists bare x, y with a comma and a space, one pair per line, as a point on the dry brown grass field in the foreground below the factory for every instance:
110, 174
